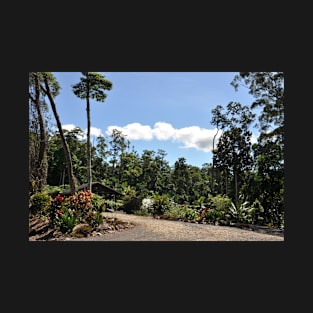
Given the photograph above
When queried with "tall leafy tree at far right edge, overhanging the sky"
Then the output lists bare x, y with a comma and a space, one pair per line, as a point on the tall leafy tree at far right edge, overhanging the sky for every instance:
268, 90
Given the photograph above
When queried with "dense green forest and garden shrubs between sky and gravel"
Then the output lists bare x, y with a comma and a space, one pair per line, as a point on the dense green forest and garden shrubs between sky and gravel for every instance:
244, 182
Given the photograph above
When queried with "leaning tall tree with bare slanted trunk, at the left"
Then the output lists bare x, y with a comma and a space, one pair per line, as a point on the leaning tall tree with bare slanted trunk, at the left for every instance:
51, 87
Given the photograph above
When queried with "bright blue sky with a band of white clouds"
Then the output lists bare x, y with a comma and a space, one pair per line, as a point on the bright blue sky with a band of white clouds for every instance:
155, 110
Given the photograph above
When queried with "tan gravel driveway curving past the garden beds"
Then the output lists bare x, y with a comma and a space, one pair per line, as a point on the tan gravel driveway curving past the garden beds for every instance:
151, 229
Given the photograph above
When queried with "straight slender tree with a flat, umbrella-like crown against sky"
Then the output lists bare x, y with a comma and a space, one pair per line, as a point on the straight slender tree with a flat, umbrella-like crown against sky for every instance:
91, 86
